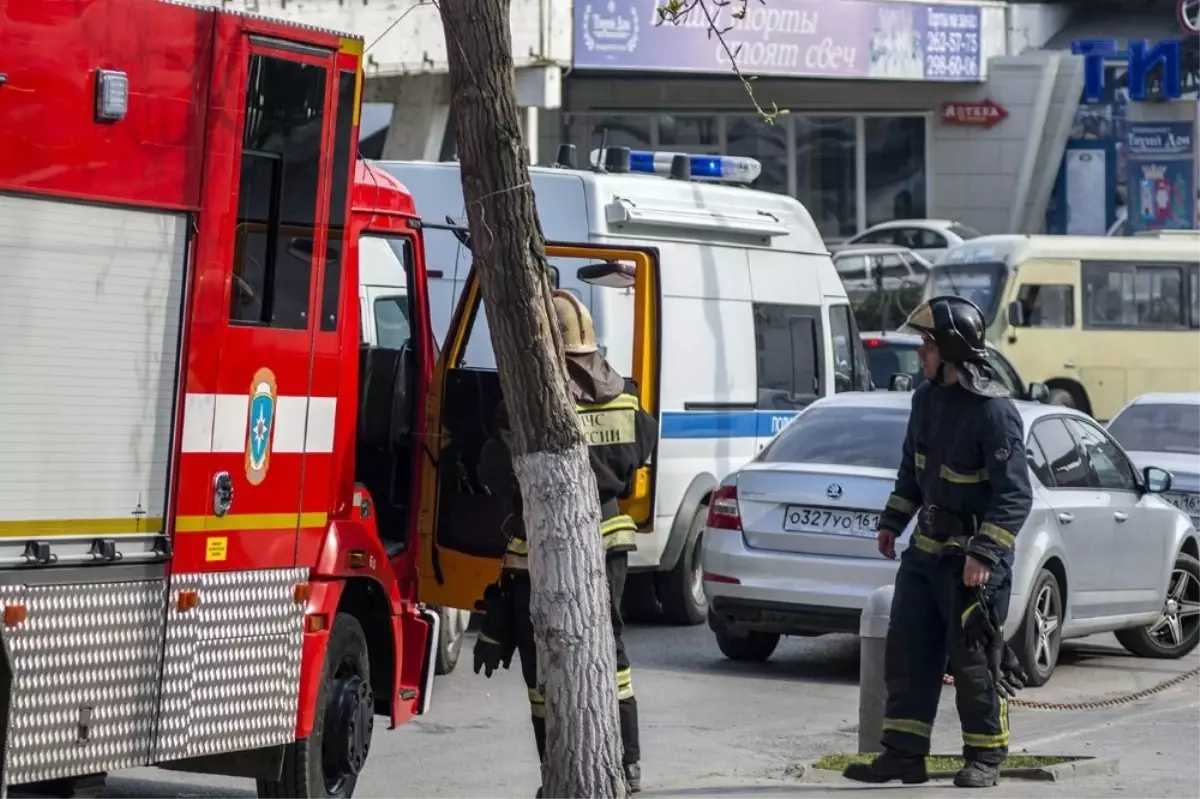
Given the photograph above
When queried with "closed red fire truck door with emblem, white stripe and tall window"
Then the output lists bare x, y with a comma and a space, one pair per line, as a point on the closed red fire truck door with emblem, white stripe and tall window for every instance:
275, 400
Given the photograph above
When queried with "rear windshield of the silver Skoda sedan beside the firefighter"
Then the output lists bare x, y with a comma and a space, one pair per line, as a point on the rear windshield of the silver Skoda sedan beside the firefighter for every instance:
859, 437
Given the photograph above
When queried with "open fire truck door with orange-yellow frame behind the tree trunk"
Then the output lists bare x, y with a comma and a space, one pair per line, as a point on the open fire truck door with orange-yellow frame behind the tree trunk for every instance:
459, 520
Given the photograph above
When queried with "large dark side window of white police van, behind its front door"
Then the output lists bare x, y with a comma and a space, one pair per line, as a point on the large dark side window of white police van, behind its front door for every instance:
788, 343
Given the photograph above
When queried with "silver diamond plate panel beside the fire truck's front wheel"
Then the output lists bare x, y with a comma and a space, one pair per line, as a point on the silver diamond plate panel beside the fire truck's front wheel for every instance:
232, 665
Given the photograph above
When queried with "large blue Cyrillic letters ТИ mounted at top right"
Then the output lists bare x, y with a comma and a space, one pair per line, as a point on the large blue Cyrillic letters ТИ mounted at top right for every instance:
1142, 59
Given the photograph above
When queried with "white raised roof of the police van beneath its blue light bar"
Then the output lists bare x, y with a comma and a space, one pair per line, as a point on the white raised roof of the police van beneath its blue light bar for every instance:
644, 207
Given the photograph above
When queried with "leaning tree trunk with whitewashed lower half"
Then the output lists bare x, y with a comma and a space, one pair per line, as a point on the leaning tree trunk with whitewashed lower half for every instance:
562, 514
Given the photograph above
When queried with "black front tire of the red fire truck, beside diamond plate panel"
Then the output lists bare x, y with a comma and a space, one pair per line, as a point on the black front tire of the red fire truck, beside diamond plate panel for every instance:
327, 765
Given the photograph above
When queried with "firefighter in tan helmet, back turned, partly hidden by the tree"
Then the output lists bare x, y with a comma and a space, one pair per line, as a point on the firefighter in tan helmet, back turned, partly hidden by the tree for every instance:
621, 438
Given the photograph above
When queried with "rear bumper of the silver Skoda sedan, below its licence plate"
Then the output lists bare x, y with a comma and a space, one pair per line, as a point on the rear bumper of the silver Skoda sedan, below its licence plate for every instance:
788, 593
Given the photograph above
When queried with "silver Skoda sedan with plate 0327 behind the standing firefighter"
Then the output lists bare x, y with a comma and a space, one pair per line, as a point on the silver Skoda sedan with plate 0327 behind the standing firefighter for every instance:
790, 543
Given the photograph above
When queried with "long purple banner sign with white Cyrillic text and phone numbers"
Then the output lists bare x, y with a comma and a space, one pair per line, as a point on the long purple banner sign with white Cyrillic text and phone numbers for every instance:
799, 39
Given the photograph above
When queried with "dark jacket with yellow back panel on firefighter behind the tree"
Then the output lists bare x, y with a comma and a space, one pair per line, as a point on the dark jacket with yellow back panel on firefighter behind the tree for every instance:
620, 437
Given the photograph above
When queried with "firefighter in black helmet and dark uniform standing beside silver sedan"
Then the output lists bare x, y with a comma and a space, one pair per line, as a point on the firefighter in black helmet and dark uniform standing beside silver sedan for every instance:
964, 476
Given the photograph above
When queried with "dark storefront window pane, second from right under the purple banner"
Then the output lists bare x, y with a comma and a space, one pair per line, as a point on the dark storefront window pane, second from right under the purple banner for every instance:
826, 173
